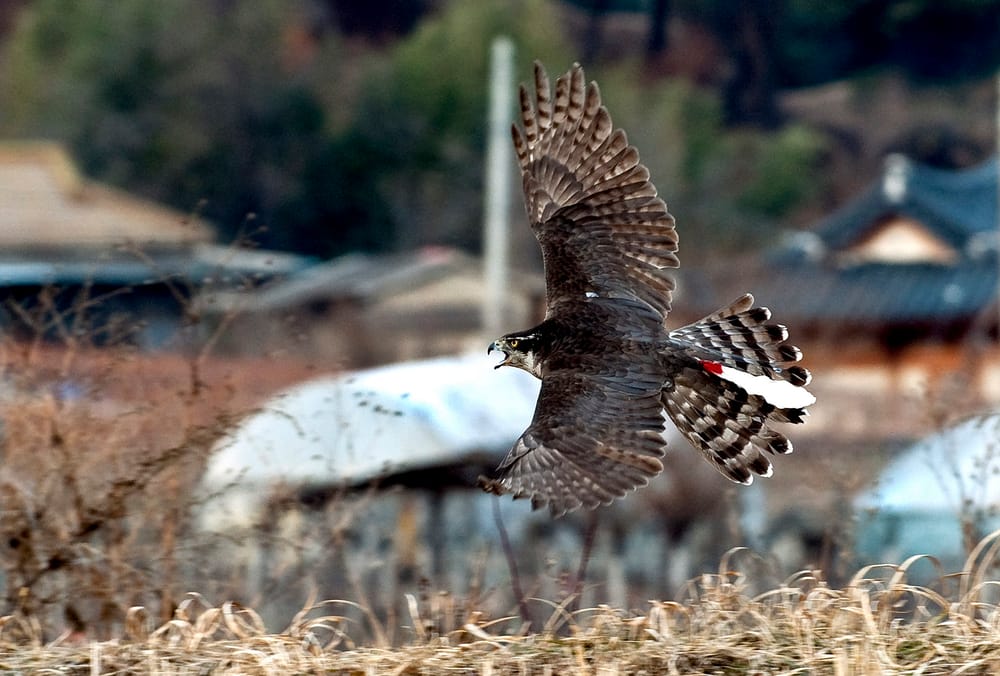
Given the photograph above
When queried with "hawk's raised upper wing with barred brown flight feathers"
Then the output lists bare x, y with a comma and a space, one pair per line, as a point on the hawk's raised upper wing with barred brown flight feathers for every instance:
602, 229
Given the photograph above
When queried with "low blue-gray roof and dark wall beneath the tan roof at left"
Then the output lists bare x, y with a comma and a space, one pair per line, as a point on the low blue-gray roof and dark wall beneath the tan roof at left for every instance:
149, 294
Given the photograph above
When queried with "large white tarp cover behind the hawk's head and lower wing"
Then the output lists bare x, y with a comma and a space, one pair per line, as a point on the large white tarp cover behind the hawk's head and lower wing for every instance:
356, 427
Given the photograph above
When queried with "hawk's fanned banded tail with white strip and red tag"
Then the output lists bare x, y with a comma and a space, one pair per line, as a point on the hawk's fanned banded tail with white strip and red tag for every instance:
734, 377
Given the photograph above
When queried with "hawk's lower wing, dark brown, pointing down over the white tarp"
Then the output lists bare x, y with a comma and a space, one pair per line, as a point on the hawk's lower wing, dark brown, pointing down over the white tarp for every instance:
592, 439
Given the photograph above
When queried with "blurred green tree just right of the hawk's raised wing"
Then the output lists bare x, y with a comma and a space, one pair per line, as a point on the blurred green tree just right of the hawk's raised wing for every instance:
729, 189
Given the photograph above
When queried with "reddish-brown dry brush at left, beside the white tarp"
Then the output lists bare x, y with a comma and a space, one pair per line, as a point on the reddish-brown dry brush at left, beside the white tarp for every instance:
100, 445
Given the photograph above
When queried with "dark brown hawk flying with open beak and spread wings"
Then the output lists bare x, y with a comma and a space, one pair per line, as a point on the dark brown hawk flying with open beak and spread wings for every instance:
611, 371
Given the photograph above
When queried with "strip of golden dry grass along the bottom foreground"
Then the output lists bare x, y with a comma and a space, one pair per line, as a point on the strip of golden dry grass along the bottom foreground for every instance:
877, 624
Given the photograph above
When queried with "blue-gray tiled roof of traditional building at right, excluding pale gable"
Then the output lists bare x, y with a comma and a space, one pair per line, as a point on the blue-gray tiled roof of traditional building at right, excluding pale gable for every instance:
818, 286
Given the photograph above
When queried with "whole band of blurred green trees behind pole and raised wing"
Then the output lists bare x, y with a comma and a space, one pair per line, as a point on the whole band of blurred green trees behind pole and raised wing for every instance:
193, 104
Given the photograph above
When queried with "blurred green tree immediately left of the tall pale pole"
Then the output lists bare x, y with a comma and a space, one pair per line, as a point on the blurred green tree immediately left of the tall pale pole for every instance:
425, 110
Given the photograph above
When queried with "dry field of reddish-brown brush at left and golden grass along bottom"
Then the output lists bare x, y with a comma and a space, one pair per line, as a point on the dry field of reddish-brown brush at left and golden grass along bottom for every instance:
101, 574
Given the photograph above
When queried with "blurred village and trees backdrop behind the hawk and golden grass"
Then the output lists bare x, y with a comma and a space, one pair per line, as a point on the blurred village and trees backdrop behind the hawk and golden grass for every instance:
242, 267
